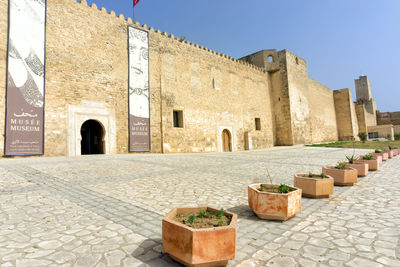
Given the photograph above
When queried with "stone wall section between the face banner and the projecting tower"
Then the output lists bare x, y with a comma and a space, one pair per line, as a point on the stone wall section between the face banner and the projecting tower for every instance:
214, 92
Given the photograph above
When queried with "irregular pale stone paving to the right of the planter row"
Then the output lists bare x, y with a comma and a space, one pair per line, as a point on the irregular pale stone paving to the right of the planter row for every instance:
361, 228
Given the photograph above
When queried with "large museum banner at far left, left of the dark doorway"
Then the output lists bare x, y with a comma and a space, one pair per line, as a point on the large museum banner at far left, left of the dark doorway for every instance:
25, 77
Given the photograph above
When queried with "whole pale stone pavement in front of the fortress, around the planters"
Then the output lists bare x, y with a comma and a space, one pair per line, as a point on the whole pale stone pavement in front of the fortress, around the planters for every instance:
106, 210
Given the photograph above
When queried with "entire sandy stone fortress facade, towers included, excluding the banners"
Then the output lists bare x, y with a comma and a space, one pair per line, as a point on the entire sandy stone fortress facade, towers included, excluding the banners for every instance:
261, 100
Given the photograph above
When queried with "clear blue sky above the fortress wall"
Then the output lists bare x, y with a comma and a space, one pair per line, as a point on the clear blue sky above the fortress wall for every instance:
339, 39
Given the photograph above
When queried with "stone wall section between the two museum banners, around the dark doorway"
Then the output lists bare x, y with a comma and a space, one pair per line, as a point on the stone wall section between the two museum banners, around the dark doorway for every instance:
86, 68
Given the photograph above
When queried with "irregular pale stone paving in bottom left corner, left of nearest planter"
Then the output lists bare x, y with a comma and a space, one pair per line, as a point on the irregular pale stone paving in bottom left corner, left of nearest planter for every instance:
42, 236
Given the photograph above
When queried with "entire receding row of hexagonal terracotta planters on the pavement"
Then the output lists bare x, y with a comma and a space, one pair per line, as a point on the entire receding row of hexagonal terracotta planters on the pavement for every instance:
204, 236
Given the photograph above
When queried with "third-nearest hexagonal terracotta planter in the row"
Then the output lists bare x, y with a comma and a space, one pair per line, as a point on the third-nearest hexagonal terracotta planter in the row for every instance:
314, 185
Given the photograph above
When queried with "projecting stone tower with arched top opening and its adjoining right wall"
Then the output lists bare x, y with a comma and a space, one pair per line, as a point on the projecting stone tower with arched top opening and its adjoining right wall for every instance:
303, 109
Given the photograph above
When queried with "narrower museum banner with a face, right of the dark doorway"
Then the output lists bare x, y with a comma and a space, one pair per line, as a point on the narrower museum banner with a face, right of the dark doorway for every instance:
139, 93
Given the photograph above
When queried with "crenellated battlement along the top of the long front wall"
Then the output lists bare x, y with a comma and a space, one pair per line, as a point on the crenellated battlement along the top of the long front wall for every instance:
170, 36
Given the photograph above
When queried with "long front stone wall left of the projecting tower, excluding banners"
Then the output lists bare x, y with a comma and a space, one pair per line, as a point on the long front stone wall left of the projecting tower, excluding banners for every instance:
87, 78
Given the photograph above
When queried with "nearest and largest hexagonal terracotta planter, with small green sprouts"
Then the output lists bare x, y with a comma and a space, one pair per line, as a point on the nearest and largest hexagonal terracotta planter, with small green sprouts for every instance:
200, 236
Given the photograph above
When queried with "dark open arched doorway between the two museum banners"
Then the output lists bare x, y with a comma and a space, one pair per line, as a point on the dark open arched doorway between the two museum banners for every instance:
92, 133
